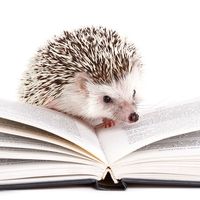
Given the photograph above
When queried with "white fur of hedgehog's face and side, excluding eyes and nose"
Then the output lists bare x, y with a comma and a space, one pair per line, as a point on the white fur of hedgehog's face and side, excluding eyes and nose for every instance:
89, 103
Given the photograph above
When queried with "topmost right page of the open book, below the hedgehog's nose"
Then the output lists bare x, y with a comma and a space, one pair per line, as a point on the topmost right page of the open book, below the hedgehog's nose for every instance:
162, 123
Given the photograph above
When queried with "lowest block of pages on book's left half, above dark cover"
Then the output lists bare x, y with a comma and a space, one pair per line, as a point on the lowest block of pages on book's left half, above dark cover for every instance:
12, 170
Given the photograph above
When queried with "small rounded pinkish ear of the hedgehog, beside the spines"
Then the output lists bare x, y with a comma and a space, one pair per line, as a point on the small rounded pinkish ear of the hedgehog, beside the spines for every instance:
81, 79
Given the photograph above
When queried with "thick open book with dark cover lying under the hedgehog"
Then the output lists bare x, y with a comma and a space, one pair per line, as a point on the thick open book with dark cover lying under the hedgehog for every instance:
43, 148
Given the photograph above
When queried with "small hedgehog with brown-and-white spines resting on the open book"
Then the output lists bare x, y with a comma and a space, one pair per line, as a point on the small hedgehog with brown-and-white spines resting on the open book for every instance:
91, 73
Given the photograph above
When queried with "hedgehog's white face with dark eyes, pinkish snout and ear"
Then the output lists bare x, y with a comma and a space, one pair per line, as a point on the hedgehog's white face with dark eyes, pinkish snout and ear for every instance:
117, 101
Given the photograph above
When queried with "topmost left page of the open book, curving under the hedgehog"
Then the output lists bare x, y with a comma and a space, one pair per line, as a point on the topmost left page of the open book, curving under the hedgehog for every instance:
55, 122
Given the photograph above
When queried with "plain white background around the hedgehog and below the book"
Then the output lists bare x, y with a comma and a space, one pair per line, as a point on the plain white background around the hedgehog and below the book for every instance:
167, 33
